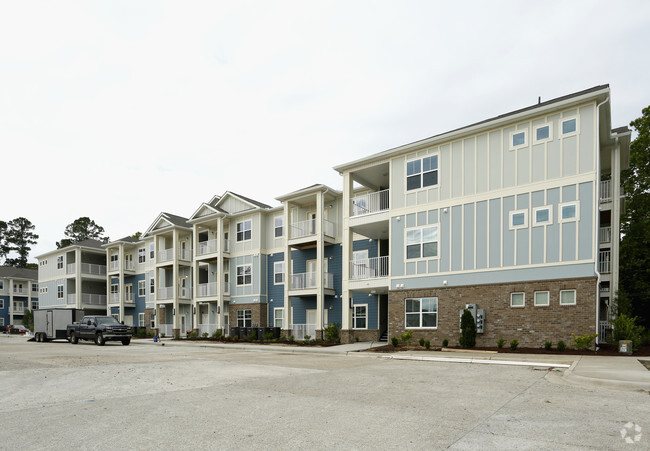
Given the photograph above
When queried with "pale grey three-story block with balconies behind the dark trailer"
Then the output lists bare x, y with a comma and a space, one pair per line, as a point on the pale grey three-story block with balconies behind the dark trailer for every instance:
74, 277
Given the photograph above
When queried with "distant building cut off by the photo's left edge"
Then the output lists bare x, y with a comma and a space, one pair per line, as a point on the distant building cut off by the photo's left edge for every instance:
18, 292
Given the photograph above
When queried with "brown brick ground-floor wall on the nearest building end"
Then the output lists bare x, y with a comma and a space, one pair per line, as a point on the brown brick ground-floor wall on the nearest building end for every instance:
531, 325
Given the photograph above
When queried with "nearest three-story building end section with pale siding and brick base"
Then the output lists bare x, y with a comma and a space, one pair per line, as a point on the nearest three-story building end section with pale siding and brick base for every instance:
517, 215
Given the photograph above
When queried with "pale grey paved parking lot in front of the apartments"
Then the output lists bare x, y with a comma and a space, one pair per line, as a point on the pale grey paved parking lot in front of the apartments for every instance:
57, 395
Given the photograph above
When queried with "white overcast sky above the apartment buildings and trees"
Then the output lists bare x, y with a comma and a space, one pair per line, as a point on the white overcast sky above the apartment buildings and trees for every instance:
118, 110
